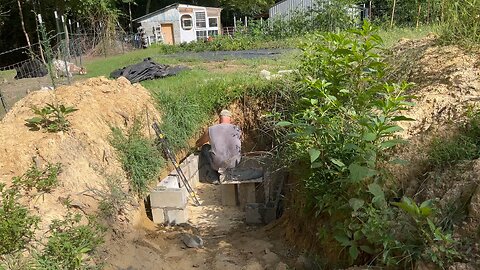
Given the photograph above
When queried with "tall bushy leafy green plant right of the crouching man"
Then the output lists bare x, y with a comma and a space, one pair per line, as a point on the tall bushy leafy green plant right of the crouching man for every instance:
343, 127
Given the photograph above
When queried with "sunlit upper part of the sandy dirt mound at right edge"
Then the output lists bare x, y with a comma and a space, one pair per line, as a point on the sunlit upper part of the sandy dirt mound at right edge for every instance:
447, 80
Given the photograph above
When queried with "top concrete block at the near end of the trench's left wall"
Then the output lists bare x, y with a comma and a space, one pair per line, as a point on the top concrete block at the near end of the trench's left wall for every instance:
170, 197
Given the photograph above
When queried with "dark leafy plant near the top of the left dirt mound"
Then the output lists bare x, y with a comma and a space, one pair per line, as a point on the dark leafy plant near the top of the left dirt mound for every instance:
52, 117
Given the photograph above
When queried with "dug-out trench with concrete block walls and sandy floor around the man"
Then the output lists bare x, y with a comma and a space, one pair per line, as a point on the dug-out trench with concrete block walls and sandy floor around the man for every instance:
234, 227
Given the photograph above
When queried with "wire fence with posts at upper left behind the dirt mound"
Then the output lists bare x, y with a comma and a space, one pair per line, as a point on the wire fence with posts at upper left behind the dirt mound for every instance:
56, 60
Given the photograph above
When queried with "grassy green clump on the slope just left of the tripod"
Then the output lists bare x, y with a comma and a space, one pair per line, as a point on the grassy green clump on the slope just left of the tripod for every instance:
139, 157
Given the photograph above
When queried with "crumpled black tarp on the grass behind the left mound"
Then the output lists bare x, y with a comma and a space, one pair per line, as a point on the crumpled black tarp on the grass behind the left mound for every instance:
146, 70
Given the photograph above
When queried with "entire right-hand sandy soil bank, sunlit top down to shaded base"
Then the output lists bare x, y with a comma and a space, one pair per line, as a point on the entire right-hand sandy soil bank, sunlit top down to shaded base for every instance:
447, 85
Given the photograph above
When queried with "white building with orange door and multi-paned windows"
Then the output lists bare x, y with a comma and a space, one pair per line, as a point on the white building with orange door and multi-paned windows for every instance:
179, 23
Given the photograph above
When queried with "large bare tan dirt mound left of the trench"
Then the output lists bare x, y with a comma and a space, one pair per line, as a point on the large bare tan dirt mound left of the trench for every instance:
84, 151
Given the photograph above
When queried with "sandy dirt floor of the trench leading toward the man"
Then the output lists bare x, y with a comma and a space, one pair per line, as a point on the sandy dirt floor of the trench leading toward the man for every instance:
228, 242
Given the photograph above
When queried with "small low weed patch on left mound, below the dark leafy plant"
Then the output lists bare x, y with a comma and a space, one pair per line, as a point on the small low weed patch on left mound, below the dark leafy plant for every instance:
42, 180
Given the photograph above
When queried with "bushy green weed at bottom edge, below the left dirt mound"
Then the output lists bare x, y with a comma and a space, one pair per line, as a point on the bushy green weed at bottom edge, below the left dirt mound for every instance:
70, 243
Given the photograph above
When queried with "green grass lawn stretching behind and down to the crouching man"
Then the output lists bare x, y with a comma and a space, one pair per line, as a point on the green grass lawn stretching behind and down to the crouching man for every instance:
189, 99
